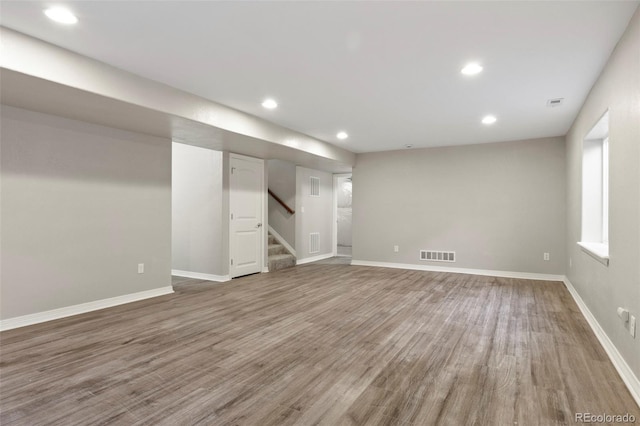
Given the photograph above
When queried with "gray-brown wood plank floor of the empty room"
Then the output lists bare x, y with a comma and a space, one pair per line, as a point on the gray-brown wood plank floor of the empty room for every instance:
317, 344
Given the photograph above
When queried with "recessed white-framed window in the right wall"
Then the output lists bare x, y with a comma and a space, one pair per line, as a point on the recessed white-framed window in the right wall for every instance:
595, 191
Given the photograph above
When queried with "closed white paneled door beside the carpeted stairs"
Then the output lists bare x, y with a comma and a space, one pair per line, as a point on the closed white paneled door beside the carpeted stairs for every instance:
246, 198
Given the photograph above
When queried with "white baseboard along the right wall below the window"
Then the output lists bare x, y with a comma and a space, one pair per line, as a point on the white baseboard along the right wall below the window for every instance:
625, 372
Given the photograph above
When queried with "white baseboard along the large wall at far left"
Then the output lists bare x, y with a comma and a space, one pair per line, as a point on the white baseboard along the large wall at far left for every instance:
82, 308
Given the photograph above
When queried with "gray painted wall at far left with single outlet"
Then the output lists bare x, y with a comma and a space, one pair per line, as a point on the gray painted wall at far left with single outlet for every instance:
82, 205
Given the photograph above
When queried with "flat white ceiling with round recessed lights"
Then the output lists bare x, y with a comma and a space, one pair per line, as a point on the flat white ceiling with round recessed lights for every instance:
388, 73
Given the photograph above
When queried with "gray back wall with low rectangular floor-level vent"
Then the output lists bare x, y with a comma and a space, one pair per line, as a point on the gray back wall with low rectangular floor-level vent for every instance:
498, 206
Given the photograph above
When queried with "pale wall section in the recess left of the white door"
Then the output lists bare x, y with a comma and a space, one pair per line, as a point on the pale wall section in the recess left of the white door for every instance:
196, 210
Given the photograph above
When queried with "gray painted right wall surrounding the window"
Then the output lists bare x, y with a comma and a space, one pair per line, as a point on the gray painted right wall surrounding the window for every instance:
602, 288
